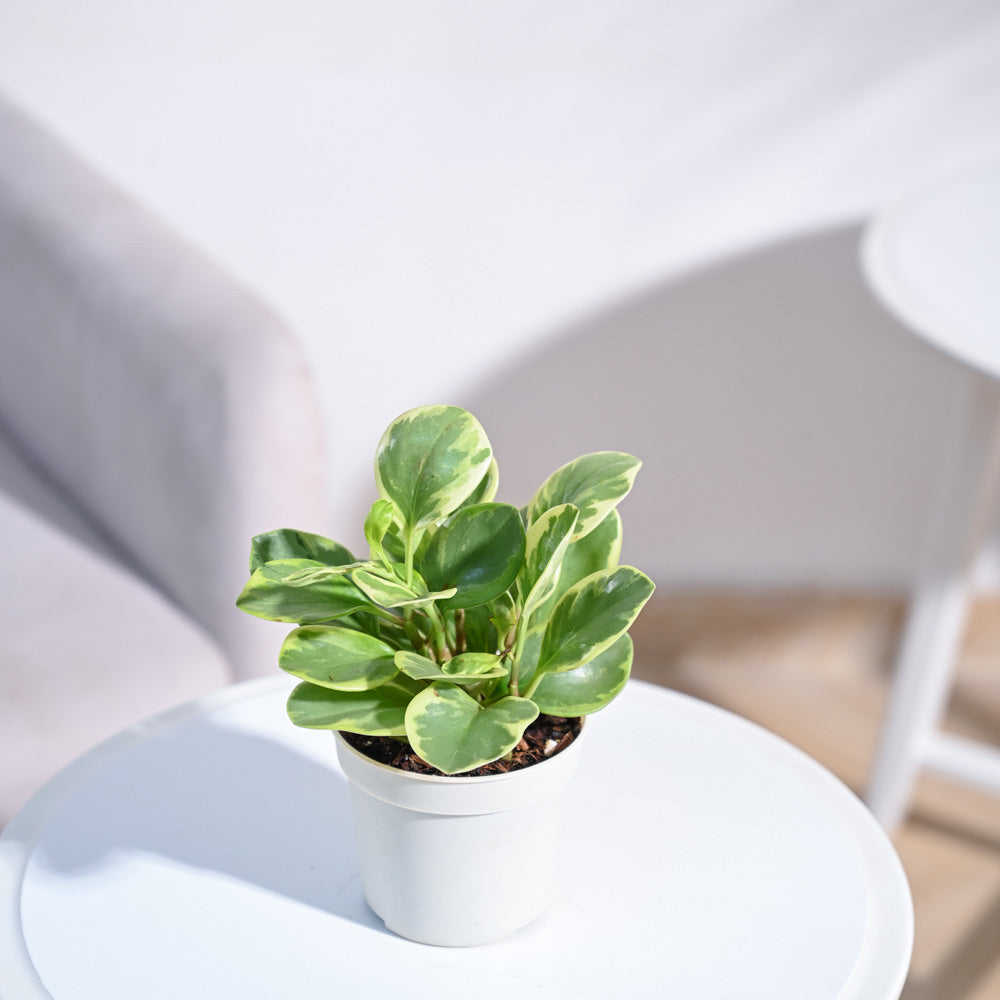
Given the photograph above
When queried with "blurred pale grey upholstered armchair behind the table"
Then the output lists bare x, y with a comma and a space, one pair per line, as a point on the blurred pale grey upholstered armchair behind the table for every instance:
153, 416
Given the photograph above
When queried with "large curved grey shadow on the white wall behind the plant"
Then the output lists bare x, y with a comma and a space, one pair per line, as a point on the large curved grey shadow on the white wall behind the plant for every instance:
790, 429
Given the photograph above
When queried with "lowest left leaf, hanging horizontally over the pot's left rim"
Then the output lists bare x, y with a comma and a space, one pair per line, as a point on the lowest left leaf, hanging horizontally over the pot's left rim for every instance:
378, 712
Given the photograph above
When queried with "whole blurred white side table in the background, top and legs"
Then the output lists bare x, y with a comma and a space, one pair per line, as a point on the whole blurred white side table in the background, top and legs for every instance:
934, 261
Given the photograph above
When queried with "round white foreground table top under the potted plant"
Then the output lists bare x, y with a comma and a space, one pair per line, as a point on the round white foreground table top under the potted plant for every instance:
208, 853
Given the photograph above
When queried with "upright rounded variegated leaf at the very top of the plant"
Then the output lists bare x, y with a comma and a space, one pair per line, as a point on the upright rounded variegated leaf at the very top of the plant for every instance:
429, 461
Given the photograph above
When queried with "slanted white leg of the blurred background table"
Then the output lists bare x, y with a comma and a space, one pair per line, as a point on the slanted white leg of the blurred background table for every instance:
964, 508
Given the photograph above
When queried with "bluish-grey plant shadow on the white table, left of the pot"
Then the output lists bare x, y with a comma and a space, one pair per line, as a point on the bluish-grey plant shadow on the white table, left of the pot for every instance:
221, 800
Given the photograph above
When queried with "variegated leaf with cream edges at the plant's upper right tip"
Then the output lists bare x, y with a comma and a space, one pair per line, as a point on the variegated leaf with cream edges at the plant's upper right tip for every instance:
593, 483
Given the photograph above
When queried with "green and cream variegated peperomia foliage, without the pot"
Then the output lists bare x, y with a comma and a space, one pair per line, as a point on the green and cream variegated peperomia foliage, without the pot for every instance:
470, 617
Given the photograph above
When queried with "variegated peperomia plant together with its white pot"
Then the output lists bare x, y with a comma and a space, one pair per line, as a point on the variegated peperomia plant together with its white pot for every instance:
467, 646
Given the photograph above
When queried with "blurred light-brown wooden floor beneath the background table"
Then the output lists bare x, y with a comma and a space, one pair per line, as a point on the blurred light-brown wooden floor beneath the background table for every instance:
815, 670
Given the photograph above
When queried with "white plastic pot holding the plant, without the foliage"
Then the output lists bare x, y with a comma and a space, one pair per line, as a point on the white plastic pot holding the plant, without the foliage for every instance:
457, 861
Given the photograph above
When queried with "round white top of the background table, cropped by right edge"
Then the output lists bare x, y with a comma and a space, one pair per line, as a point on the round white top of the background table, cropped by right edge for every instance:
933, 259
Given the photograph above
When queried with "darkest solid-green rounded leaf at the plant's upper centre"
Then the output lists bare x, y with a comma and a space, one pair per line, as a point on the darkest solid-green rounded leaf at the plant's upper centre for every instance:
478, 551
